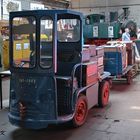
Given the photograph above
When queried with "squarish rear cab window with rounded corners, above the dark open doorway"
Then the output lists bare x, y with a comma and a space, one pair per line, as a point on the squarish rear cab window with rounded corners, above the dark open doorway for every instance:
68, 30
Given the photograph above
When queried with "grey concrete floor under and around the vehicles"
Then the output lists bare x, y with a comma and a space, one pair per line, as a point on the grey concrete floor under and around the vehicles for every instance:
120, 120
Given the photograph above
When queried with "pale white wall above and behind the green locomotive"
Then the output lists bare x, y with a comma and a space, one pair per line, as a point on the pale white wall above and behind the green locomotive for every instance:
106, 6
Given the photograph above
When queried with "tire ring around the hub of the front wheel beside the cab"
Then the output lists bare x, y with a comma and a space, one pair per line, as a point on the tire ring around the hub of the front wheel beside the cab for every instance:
81, 99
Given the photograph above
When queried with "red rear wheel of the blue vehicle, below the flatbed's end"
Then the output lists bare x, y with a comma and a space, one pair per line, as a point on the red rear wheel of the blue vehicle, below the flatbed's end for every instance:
103, 95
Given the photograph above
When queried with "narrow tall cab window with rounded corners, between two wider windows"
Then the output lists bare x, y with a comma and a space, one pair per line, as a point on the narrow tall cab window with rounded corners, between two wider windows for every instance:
46, 37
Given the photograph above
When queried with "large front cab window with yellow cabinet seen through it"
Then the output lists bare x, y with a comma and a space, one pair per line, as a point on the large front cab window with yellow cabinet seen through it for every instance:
24, 41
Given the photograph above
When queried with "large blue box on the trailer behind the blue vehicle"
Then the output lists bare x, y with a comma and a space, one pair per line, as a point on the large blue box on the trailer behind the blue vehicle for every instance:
115, 59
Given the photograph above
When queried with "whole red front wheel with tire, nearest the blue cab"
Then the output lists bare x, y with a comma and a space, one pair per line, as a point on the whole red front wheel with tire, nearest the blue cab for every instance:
81, 111
